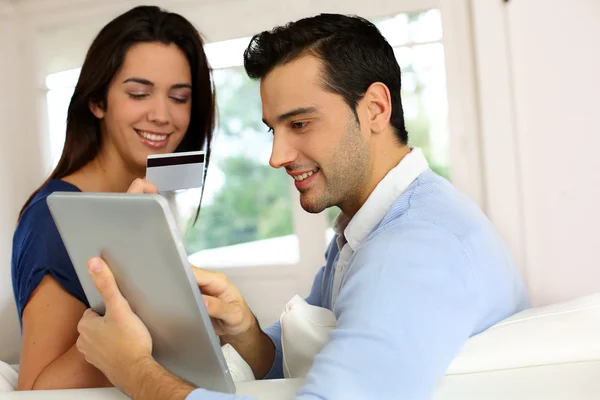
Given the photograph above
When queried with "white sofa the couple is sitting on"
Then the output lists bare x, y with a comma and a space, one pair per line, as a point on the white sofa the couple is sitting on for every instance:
547, 353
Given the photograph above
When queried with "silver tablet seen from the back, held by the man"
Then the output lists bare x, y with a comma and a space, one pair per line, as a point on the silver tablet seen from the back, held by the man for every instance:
138, 237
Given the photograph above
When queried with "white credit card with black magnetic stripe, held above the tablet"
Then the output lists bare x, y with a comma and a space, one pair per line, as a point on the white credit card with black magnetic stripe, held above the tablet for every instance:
176, 171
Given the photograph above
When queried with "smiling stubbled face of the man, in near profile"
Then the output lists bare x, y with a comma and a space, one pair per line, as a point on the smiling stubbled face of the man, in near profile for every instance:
316, 136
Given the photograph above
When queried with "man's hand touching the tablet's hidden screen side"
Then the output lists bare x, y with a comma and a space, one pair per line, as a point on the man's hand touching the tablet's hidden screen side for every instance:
230, 314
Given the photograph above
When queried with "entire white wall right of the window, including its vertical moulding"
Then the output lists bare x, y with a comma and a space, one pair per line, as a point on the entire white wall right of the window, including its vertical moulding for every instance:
538, 82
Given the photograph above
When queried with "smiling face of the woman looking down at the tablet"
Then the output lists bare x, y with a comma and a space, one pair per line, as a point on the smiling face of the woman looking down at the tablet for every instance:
148, 104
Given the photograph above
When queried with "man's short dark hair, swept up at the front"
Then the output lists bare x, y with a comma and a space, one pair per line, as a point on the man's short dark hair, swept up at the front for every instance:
354, 54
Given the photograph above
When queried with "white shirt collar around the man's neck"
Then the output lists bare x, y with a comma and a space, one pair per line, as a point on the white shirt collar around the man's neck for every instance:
396, 181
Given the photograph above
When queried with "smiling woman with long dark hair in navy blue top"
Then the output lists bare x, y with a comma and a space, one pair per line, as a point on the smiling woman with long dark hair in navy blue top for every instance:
145, 87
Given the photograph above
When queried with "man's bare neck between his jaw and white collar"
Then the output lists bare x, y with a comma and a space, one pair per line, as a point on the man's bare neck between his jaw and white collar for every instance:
385, 158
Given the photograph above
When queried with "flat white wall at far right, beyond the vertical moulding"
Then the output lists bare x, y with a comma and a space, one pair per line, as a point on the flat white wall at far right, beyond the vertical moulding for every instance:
555, 54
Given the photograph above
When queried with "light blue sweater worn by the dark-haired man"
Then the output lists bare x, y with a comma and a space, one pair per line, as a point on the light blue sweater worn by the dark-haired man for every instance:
431, 274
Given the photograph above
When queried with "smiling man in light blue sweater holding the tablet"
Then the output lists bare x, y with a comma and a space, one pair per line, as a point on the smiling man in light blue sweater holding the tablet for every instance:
415, 268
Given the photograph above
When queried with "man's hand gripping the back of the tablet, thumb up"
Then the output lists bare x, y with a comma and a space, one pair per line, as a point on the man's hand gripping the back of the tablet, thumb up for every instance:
118, 341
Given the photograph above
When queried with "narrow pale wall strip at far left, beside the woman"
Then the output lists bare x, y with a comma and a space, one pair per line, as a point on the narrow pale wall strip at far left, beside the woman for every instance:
19, 155
